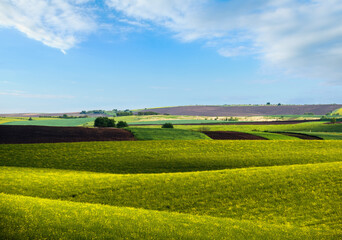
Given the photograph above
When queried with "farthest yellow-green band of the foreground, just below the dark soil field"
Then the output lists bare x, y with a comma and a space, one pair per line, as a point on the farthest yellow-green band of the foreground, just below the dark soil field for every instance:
168, 156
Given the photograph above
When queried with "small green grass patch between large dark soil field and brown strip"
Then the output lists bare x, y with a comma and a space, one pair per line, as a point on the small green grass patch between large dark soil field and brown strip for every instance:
166, 134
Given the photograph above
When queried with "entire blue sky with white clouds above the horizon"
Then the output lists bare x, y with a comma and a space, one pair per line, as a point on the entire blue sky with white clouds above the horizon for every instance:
74, 55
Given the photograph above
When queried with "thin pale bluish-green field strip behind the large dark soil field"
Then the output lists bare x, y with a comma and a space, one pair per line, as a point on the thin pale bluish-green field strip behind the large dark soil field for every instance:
72, 122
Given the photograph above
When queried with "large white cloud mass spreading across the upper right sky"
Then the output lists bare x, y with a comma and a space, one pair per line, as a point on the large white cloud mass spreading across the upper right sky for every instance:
300, 37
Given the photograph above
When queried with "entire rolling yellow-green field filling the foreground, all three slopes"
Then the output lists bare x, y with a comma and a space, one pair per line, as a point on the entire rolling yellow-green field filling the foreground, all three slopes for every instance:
186, 189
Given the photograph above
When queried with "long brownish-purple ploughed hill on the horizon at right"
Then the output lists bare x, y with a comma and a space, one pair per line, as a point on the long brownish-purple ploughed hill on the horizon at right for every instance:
252, 110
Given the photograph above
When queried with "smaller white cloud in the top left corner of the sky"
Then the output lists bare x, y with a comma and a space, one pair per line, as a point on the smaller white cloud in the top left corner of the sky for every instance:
56, 23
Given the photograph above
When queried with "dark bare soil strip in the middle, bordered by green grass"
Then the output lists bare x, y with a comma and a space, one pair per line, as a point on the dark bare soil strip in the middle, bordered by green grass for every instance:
227, 135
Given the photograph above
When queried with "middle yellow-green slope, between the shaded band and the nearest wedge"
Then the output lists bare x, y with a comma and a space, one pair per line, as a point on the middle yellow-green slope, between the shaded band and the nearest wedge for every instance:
301, 195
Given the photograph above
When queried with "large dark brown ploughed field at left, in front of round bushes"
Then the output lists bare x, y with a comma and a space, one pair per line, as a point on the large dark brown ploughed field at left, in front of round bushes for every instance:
42, 134
